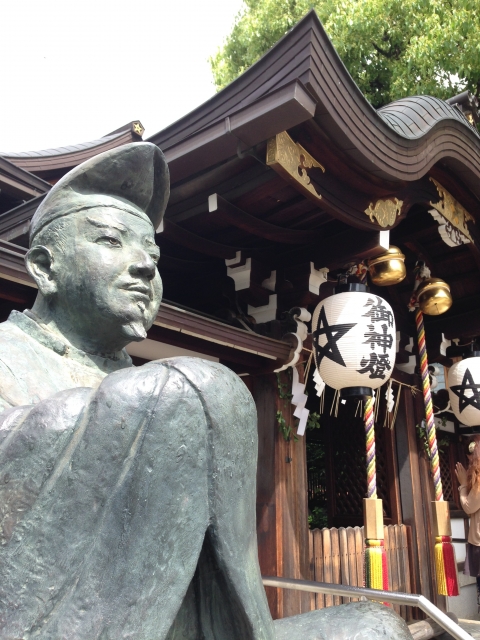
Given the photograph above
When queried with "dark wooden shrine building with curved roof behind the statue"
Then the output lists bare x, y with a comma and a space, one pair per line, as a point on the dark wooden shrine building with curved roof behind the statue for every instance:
283, 184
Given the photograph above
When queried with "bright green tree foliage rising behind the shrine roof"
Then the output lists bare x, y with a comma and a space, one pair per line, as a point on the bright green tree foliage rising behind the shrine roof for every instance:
392, 48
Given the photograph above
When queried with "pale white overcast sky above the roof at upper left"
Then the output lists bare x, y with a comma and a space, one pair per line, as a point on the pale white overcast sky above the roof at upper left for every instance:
74, 71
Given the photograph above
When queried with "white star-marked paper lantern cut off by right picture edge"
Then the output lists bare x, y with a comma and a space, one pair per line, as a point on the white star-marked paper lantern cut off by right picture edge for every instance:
464, 390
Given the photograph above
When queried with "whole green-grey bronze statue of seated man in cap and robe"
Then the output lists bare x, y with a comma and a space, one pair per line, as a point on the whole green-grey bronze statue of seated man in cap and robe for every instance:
127, 495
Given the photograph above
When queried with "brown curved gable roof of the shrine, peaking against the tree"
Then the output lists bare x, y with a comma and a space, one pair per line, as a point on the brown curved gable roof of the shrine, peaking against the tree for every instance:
400, 142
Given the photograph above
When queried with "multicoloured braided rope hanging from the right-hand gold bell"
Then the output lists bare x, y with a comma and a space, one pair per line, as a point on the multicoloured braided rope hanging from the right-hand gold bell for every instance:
427, 399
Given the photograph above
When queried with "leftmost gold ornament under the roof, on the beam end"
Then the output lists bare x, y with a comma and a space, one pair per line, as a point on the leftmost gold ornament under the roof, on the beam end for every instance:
290, 160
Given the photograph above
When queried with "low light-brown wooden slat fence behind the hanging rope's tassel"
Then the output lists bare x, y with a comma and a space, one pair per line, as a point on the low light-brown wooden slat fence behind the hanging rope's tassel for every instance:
336, 555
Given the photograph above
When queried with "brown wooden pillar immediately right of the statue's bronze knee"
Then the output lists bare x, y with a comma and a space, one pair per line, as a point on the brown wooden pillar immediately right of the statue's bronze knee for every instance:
282, 507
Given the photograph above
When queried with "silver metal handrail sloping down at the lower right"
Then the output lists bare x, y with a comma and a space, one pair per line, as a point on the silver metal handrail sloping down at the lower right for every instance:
407, 599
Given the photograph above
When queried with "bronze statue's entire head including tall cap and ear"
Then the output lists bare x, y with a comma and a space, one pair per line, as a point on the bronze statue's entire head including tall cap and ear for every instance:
92, 247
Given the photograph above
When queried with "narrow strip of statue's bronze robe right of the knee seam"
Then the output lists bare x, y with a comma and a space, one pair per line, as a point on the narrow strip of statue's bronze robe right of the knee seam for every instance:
233, 451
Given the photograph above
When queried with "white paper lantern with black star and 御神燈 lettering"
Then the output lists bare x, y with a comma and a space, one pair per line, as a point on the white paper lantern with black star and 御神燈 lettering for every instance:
354, 340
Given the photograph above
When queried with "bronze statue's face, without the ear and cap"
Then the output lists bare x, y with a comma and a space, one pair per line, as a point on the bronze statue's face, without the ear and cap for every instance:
107, 277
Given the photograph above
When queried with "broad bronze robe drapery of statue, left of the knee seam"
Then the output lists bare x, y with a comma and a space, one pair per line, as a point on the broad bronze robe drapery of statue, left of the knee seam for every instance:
103, 499
